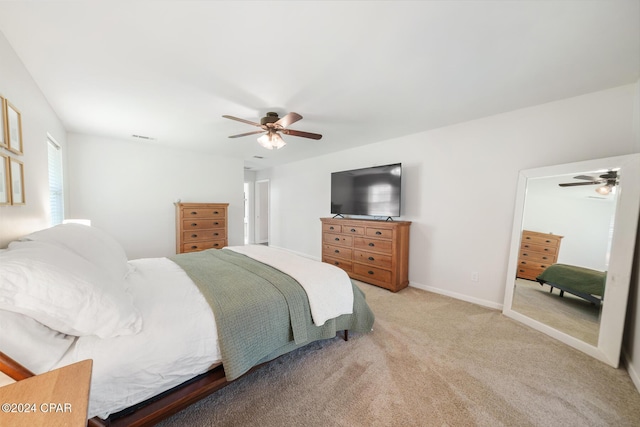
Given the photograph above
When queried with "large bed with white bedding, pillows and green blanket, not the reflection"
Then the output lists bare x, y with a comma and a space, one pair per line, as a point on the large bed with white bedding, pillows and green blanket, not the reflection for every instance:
162, 332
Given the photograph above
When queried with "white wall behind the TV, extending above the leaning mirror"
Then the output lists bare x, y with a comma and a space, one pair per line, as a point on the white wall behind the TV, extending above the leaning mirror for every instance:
459, 185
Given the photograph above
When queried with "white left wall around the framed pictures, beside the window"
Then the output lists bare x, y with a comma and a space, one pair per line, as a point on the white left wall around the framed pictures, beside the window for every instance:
38, 119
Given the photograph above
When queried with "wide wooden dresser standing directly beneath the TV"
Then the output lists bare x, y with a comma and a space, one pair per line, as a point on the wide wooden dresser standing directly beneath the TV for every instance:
375, 252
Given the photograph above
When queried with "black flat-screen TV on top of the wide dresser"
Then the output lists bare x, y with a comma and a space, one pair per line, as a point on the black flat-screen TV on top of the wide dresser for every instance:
373, 191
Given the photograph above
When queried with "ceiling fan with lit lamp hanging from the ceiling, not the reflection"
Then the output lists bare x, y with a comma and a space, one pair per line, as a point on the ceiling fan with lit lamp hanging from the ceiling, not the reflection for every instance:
272, 125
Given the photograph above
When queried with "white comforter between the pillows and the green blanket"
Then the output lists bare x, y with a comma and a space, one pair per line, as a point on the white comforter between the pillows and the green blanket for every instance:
177, 341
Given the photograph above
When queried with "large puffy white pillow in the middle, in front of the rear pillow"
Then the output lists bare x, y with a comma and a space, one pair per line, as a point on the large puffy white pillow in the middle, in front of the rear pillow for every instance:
64, 291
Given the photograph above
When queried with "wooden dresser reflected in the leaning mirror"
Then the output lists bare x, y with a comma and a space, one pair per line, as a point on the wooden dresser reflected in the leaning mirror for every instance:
537, 252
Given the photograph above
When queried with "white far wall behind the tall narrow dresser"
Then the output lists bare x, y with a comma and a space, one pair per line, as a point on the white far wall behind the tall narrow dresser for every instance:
129, 188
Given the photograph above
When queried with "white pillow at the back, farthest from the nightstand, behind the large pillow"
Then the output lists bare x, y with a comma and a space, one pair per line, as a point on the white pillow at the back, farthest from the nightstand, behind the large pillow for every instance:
91, 243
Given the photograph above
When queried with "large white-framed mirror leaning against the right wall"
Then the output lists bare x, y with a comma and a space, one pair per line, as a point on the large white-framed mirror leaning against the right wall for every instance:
571, 254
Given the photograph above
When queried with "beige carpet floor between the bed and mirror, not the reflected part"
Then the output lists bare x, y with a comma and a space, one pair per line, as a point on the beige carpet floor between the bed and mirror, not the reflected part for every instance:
430, 361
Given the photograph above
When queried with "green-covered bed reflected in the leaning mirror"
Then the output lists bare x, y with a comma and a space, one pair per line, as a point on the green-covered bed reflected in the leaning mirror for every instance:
583, 282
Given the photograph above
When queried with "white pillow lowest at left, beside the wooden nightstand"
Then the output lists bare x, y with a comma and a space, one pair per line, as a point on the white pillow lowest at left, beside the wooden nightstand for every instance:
30, 343
